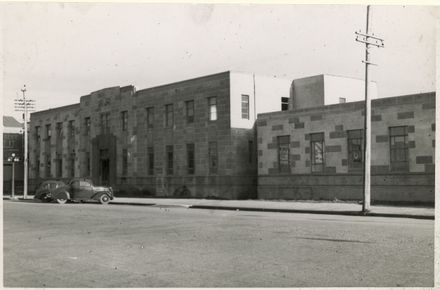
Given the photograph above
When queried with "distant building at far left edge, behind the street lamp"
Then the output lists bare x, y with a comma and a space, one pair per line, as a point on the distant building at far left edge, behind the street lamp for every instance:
12, 144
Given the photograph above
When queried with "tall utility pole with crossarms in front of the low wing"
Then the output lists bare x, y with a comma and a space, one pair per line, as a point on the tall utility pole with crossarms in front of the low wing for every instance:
369, 40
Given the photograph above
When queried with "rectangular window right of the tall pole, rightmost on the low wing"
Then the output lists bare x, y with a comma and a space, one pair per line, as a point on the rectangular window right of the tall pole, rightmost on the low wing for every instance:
399, 148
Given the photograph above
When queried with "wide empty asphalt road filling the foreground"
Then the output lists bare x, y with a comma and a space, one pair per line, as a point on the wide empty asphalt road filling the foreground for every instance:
90, 245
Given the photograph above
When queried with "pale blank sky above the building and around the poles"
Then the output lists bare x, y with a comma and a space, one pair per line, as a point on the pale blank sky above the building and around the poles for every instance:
64, 51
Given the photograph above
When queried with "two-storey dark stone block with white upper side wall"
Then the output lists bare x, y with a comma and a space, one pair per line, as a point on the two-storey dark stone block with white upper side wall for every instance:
190, 138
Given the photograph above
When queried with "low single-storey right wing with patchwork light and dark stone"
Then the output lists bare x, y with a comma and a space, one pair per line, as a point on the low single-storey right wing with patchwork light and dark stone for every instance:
316, 153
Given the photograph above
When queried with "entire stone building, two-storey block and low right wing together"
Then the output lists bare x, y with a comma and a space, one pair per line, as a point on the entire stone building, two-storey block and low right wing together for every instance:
201, 138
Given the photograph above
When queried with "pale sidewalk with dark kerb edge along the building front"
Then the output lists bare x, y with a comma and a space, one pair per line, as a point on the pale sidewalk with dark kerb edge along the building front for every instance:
312, 207
